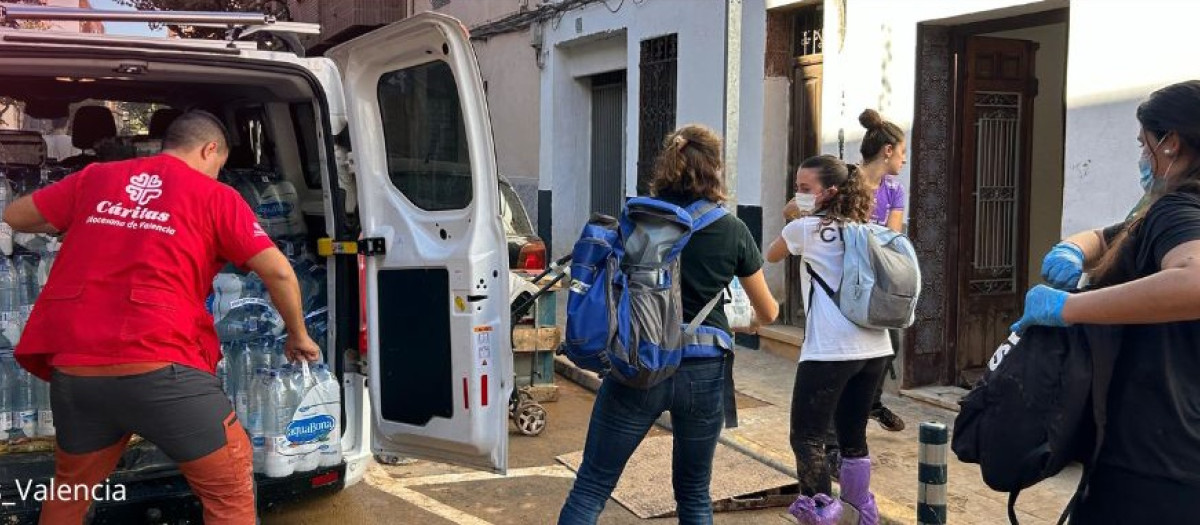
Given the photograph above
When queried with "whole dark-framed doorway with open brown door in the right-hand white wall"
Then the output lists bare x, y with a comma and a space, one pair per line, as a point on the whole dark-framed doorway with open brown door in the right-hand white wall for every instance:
986, 198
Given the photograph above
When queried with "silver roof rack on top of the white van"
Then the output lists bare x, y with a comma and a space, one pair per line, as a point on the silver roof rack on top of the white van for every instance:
238, 25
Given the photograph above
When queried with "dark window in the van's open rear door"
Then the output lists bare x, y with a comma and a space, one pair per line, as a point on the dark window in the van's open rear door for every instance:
425, 137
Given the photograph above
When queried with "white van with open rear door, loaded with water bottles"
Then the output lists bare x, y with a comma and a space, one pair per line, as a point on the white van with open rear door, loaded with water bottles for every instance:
422, 206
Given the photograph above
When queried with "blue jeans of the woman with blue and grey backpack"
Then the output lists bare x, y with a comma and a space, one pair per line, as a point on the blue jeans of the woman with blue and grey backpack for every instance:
621, 419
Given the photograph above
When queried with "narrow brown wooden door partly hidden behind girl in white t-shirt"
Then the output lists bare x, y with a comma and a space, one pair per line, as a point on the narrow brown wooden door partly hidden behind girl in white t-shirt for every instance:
806, 142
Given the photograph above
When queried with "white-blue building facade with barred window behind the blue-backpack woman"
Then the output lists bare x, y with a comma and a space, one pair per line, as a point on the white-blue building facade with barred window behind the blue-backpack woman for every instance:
619, 76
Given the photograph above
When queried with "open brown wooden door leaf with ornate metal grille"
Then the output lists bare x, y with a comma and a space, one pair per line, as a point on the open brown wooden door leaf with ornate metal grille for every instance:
997, 126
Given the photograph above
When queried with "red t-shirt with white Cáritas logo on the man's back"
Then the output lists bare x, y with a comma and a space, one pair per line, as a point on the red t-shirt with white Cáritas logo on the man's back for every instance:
143, 242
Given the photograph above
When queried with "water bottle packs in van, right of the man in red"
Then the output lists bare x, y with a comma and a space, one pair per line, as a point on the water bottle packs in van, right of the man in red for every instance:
291, 411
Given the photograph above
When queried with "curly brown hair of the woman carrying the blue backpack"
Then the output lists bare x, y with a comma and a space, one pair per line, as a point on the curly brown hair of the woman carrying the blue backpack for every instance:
691, 165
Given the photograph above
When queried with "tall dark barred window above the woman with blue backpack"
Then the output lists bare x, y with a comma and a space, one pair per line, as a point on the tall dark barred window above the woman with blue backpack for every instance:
657, 102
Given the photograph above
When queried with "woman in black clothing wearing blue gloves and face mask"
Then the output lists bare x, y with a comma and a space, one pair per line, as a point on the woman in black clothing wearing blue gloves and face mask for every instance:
1147, 277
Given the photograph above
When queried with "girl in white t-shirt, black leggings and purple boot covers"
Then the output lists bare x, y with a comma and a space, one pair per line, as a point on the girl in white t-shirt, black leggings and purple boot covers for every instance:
842, 364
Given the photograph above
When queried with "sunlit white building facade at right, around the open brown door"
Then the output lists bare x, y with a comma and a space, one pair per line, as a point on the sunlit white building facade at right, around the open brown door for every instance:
1021, 131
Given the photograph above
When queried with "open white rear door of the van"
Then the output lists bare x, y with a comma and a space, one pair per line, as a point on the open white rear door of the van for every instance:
440, 351
